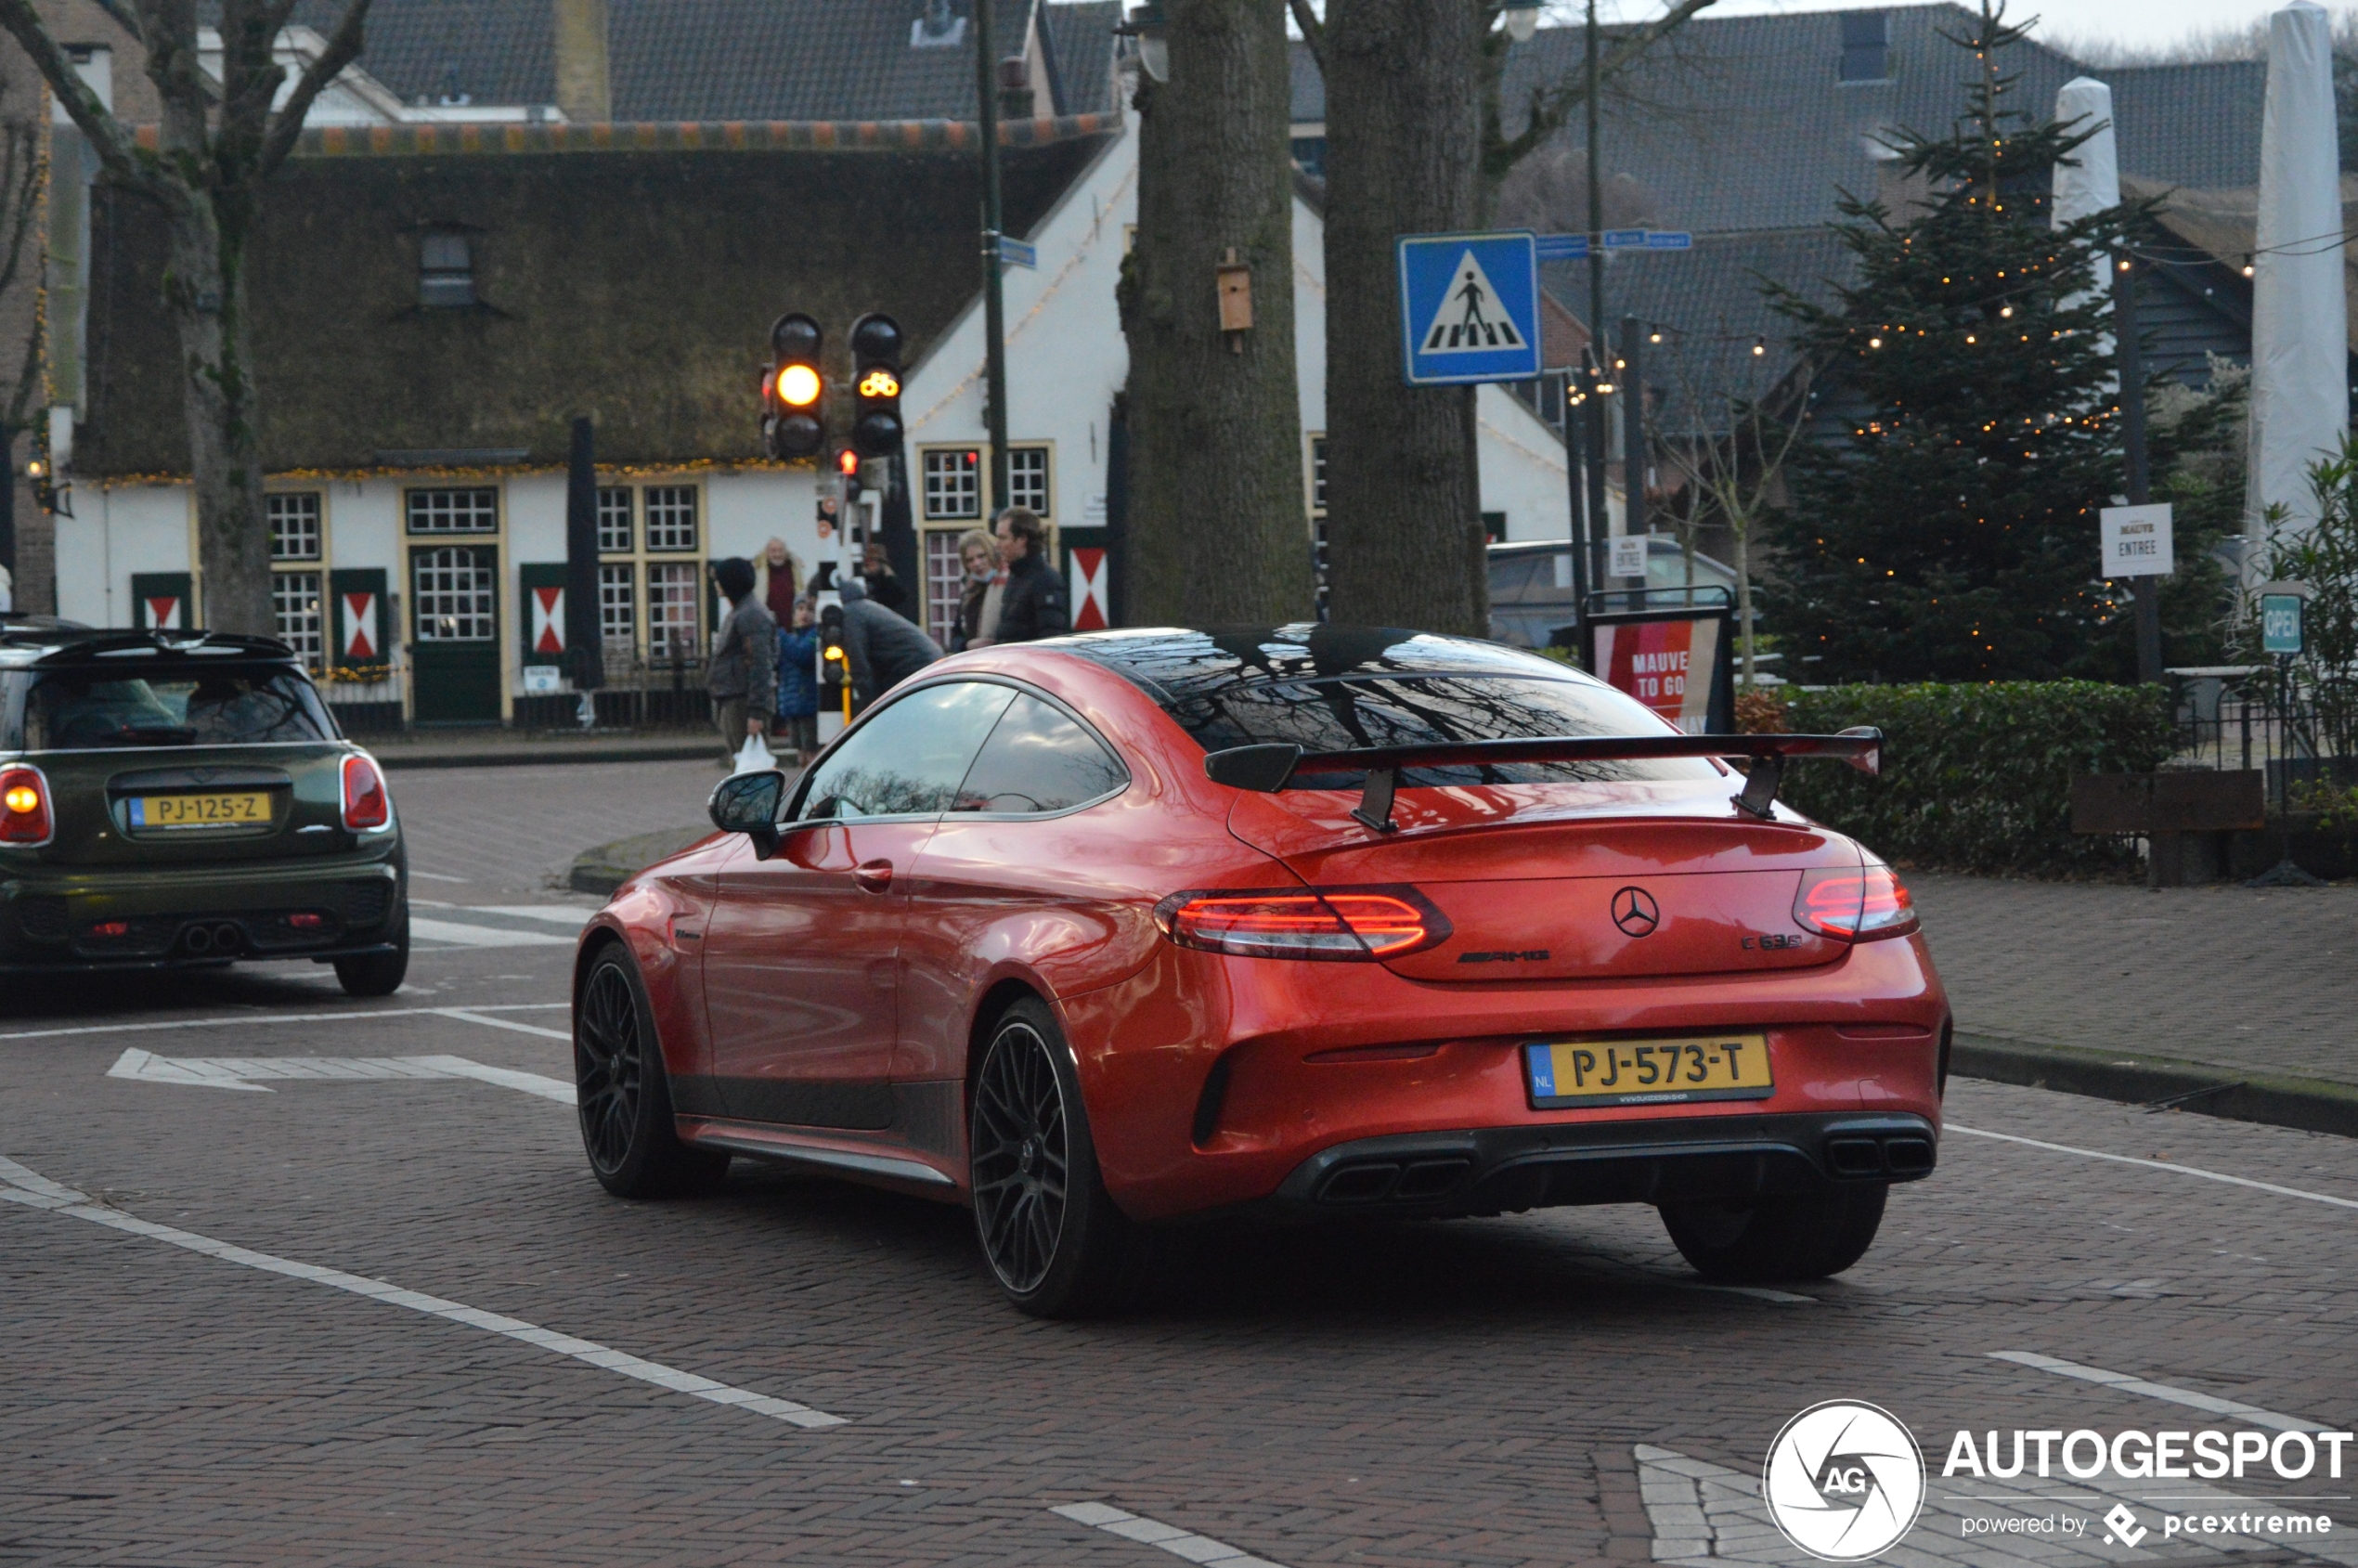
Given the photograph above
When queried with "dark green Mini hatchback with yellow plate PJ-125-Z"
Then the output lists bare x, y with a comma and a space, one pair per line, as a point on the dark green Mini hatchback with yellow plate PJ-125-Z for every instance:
173, 801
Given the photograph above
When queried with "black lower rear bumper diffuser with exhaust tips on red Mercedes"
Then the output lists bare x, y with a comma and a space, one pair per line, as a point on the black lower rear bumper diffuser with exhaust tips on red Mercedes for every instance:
1496, 1171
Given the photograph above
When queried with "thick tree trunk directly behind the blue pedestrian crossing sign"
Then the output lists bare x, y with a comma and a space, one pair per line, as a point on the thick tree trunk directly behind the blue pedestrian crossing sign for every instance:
1404, 143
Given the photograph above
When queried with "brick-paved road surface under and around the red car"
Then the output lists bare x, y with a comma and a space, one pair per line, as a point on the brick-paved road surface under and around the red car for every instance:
1477, 1392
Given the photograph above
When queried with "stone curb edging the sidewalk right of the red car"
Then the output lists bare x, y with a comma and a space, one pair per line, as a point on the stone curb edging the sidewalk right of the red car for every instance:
2312, 1105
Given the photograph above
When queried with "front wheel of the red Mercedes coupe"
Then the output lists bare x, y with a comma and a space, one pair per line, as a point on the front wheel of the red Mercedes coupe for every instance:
624, 1095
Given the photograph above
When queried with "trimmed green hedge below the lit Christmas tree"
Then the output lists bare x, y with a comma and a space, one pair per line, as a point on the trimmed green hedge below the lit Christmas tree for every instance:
1980, 777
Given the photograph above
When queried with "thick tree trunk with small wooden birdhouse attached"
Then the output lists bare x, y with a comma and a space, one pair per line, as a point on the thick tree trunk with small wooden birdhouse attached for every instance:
1220, 520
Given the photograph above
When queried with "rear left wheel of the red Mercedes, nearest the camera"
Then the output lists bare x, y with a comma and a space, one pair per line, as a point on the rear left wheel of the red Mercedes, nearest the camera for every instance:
1055, 1241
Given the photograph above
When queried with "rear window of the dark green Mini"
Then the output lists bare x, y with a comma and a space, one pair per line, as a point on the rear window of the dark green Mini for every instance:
79, 711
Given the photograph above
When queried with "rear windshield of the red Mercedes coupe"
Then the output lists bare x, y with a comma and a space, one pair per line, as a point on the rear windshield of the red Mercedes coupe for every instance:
1341, 716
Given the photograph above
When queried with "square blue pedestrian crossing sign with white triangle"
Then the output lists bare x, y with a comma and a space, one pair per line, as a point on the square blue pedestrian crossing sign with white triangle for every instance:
1470, 308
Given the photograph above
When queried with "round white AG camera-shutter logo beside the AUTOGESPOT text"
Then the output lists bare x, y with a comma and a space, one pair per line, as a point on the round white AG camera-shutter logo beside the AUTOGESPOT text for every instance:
1845, 1482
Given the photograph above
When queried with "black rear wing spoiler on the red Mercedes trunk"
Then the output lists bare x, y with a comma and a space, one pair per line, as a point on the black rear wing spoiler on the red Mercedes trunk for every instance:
1270, 767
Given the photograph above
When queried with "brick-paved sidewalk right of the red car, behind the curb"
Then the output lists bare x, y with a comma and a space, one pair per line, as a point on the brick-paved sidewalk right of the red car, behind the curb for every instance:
2253, 977
